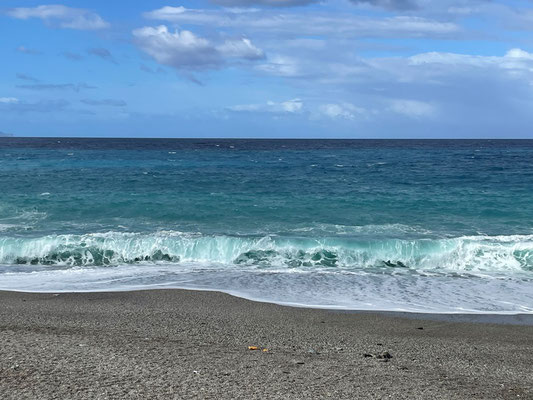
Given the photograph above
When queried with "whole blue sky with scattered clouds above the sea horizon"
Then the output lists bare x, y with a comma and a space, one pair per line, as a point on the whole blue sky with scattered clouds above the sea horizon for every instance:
267, 68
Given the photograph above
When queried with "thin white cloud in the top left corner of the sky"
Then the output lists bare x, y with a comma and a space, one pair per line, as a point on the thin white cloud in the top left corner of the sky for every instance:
61, 16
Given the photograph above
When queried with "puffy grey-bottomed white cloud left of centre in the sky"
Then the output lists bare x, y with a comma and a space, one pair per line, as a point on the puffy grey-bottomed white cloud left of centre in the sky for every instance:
186, 50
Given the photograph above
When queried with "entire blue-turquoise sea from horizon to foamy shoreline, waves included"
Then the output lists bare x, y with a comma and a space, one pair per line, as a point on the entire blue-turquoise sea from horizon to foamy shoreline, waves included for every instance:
440, 226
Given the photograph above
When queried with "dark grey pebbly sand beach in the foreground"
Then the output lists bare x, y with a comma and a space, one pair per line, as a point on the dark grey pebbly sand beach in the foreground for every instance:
187, 344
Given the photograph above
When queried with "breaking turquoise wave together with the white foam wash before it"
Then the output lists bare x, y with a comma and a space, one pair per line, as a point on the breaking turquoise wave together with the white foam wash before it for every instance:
478, 274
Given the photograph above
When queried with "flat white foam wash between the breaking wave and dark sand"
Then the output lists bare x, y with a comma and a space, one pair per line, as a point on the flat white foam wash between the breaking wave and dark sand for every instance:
317, 289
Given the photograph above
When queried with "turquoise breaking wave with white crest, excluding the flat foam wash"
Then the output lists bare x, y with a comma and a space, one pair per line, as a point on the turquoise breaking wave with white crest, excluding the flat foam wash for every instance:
468, 253
